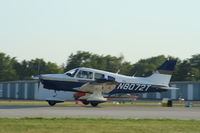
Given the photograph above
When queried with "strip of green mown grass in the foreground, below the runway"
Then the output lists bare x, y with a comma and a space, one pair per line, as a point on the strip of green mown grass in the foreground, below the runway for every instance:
84, 125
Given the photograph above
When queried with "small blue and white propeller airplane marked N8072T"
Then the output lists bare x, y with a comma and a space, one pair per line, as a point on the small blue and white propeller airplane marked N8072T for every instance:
95, 82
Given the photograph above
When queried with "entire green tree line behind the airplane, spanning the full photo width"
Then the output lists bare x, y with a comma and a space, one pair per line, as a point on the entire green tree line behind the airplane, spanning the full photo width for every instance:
11, 69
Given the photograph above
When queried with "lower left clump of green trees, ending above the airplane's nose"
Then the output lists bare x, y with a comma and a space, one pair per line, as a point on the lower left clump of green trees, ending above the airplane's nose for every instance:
11, 69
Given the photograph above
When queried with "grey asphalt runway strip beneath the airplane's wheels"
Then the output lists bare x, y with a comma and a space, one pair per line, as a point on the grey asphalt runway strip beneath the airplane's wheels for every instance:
17, 111
